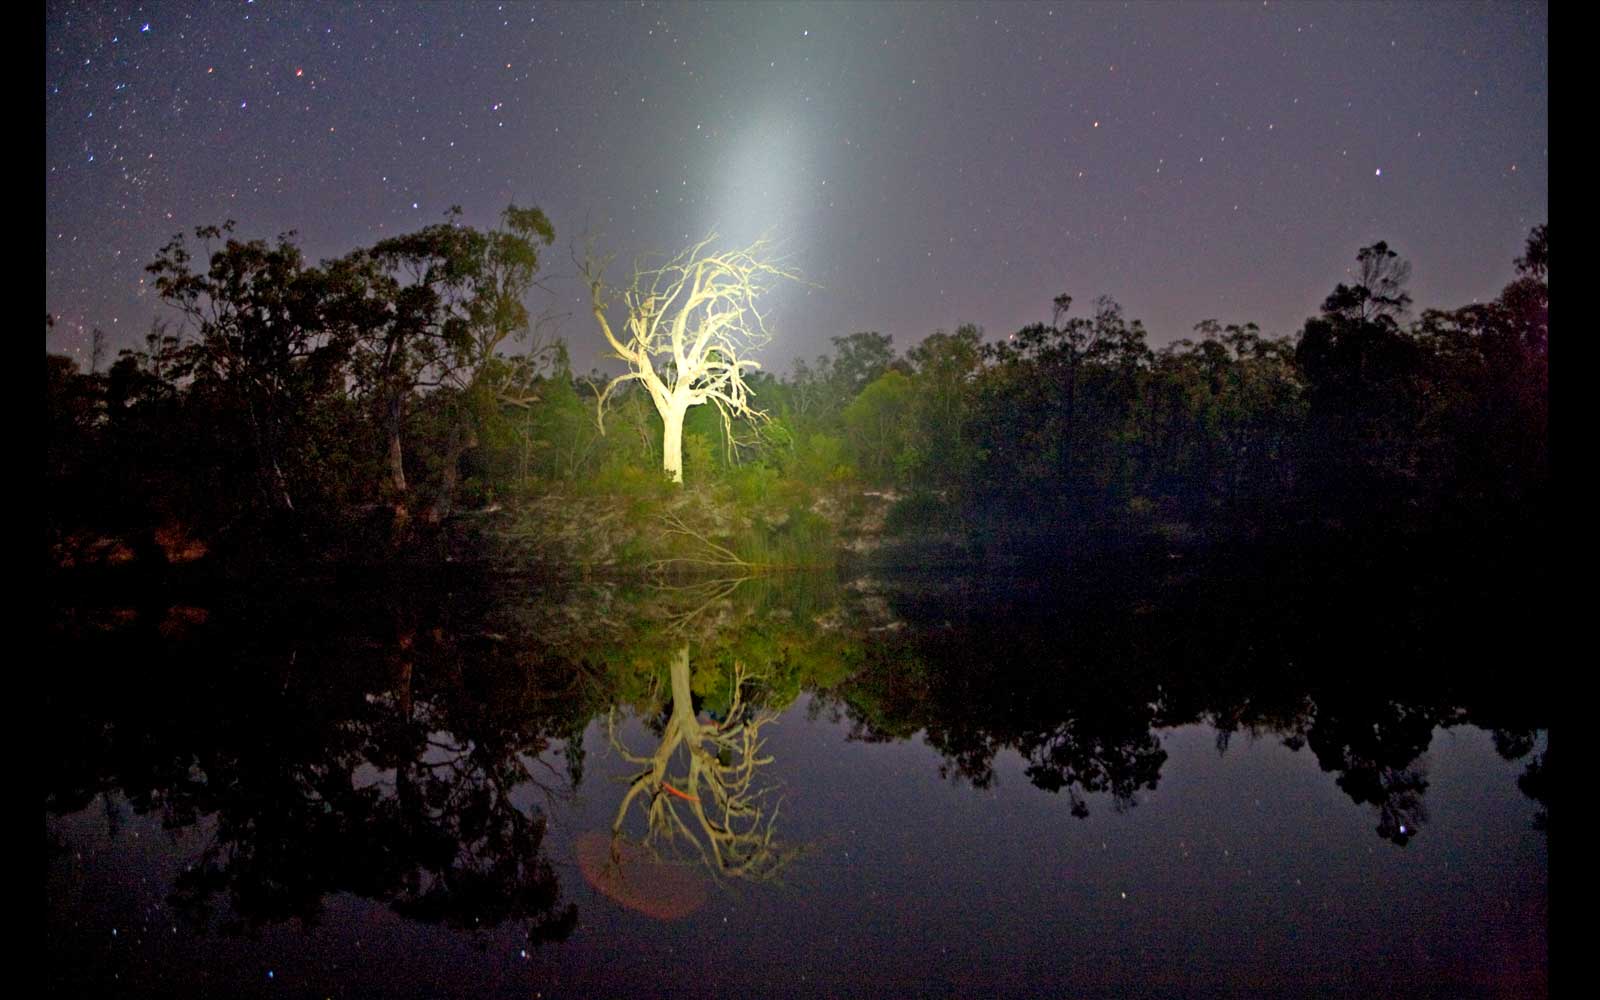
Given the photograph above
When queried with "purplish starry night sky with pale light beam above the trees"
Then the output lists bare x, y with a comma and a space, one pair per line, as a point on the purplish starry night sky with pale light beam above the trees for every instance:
922, 166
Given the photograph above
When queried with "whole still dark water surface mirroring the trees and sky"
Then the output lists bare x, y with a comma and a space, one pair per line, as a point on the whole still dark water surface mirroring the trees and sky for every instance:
1169, 780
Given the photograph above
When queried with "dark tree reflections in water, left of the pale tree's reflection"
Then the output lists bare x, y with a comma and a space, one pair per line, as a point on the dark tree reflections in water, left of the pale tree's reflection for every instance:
391, 761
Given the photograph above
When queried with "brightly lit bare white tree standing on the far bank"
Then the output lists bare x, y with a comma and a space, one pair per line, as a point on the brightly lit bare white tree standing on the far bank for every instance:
689, 334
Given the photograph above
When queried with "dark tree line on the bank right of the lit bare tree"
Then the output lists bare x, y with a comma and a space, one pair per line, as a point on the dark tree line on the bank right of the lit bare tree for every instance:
1079, 425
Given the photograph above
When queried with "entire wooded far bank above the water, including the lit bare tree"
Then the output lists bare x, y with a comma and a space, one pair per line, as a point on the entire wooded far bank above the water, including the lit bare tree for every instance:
404, 406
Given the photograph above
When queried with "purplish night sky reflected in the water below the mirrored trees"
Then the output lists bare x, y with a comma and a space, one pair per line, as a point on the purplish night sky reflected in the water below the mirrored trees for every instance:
1242, 870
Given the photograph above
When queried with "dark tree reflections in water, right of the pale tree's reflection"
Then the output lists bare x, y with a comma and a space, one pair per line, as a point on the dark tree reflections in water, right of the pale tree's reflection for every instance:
1343, 654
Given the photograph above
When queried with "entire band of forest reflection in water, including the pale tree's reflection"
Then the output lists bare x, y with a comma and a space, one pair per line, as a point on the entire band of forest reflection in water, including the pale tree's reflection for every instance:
398, 743
